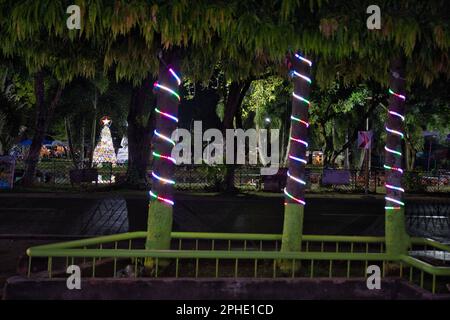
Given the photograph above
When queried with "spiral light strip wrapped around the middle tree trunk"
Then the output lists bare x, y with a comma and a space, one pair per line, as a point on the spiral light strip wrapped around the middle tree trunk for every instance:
297, 154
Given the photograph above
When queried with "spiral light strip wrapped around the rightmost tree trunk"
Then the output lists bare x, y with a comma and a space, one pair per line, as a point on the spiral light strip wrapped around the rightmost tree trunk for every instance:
394, 192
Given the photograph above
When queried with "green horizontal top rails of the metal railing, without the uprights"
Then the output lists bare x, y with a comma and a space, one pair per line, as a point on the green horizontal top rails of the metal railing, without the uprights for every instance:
69, 249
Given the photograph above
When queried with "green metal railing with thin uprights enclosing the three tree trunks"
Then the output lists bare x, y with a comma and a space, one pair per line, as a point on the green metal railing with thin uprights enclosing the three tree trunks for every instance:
243, 255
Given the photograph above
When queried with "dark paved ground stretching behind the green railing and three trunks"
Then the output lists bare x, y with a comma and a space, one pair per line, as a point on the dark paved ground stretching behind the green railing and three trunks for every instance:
29, 219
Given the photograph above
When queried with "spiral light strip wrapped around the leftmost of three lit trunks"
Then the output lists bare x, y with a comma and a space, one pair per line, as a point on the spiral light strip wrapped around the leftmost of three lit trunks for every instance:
159, 181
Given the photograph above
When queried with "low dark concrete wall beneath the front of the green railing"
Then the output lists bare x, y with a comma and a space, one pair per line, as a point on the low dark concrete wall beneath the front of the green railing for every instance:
212, 289
